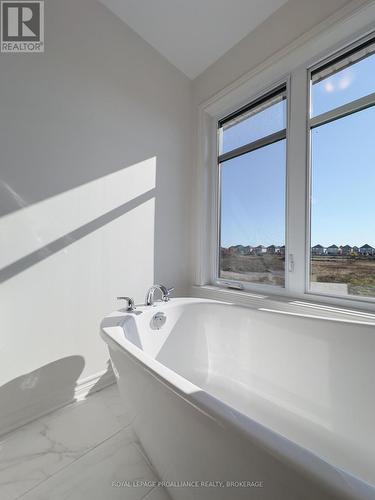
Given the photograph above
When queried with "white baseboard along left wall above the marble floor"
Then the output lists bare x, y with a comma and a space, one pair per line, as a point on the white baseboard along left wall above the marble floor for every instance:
42, 406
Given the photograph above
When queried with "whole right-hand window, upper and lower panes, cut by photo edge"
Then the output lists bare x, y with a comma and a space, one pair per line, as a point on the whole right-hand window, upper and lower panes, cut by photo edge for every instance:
342, 125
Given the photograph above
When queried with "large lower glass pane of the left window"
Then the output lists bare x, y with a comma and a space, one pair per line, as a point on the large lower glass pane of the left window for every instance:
253, 216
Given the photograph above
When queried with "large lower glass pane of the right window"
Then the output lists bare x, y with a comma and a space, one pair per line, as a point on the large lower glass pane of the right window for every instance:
343, 206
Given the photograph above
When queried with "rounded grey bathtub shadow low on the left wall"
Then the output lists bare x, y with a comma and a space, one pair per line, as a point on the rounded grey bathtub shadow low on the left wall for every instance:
33, 394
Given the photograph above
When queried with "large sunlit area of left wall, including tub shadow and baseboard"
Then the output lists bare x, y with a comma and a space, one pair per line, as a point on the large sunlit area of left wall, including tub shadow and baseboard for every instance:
48, 234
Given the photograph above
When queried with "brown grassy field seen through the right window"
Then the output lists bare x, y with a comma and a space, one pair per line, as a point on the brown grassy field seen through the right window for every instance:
358, 273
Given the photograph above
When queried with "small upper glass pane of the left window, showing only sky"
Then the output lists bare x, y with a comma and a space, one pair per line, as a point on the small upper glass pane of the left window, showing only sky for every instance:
256, 124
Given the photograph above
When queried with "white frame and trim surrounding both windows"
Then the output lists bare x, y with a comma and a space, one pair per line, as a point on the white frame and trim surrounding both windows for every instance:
291, 66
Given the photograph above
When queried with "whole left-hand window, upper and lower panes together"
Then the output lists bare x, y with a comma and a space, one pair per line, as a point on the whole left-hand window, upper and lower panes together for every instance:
252, 168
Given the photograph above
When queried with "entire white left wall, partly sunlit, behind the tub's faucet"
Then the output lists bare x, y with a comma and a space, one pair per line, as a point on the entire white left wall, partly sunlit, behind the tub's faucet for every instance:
94, 185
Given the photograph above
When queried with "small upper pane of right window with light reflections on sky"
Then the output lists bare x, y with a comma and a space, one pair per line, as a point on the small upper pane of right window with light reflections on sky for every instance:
350, 83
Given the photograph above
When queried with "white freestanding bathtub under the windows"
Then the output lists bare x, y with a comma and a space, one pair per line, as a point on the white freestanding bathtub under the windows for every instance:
234, 402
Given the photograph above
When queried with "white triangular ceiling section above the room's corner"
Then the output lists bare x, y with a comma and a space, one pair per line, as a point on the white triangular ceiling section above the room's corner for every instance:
193, 34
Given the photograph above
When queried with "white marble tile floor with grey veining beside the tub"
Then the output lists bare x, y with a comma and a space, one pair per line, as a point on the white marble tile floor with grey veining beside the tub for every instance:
86, 450
